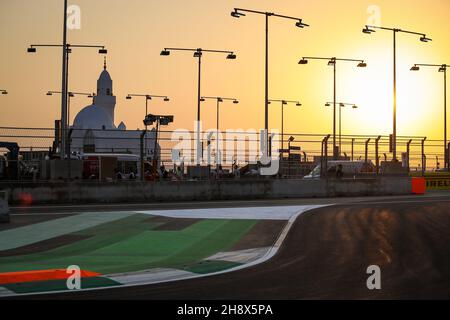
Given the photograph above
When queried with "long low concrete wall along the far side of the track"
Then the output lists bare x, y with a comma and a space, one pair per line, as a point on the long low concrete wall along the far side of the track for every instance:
116, 192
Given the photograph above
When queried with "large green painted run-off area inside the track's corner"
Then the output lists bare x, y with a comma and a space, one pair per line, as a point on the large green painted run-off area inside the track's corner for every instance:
133, 244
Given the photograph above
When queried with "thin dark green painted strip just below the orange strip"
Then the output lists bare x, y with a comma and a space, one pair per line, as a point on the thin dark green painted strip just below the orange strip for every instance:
59, 285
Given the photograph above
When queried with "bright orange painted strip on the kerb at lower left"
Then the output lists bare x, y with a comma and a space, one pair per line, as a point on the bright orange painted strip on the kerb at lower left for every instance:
41, 275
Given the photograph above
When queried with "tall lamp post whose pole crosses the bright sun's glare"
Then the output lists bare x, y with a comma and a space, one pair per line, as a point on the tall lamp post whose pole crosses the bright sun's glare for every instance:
369, 30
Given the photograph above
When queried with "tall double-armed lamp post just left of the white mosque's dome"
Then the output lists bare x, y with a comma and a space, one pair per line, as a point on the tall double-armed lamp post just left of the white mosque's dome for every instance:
67, 48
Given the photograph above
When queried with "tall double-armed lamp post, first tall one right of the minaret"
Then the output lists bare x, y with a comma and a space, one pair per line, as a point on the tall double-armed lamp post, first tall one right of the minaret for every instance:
198, 53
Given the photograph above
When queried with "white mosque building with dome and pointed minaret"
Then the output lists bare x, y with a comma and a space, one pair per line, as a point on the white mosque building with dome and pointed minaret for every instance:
94, 129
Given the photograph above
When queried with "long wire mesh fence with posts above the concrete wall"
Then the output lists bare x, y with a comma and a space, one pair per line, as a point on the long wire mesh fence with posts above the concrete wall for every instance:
223, 154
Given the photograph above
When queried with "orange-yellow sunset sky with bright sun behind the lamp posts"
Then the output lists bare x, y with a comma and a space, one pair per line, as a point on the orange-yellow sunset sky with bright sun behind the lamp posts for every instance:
135, 31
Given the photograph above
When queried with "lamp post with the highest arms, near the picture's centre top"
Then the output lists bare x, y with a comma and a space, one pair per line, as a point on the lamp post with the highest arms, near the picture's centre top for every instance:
237, 13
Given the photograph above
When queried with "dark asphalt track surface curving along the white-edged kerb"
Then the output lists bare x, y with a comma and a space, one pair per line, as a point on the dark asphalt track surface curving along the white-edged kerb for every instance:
326, 254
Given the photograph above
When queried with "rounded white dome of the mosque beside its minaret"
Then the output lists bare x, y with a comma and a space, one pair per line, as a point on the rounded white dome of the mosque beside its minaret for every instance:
93, 117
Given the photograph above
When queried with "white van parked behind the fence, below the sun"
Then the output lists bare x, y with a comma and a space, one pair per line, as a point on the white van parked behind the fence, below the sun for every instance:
349, 169
